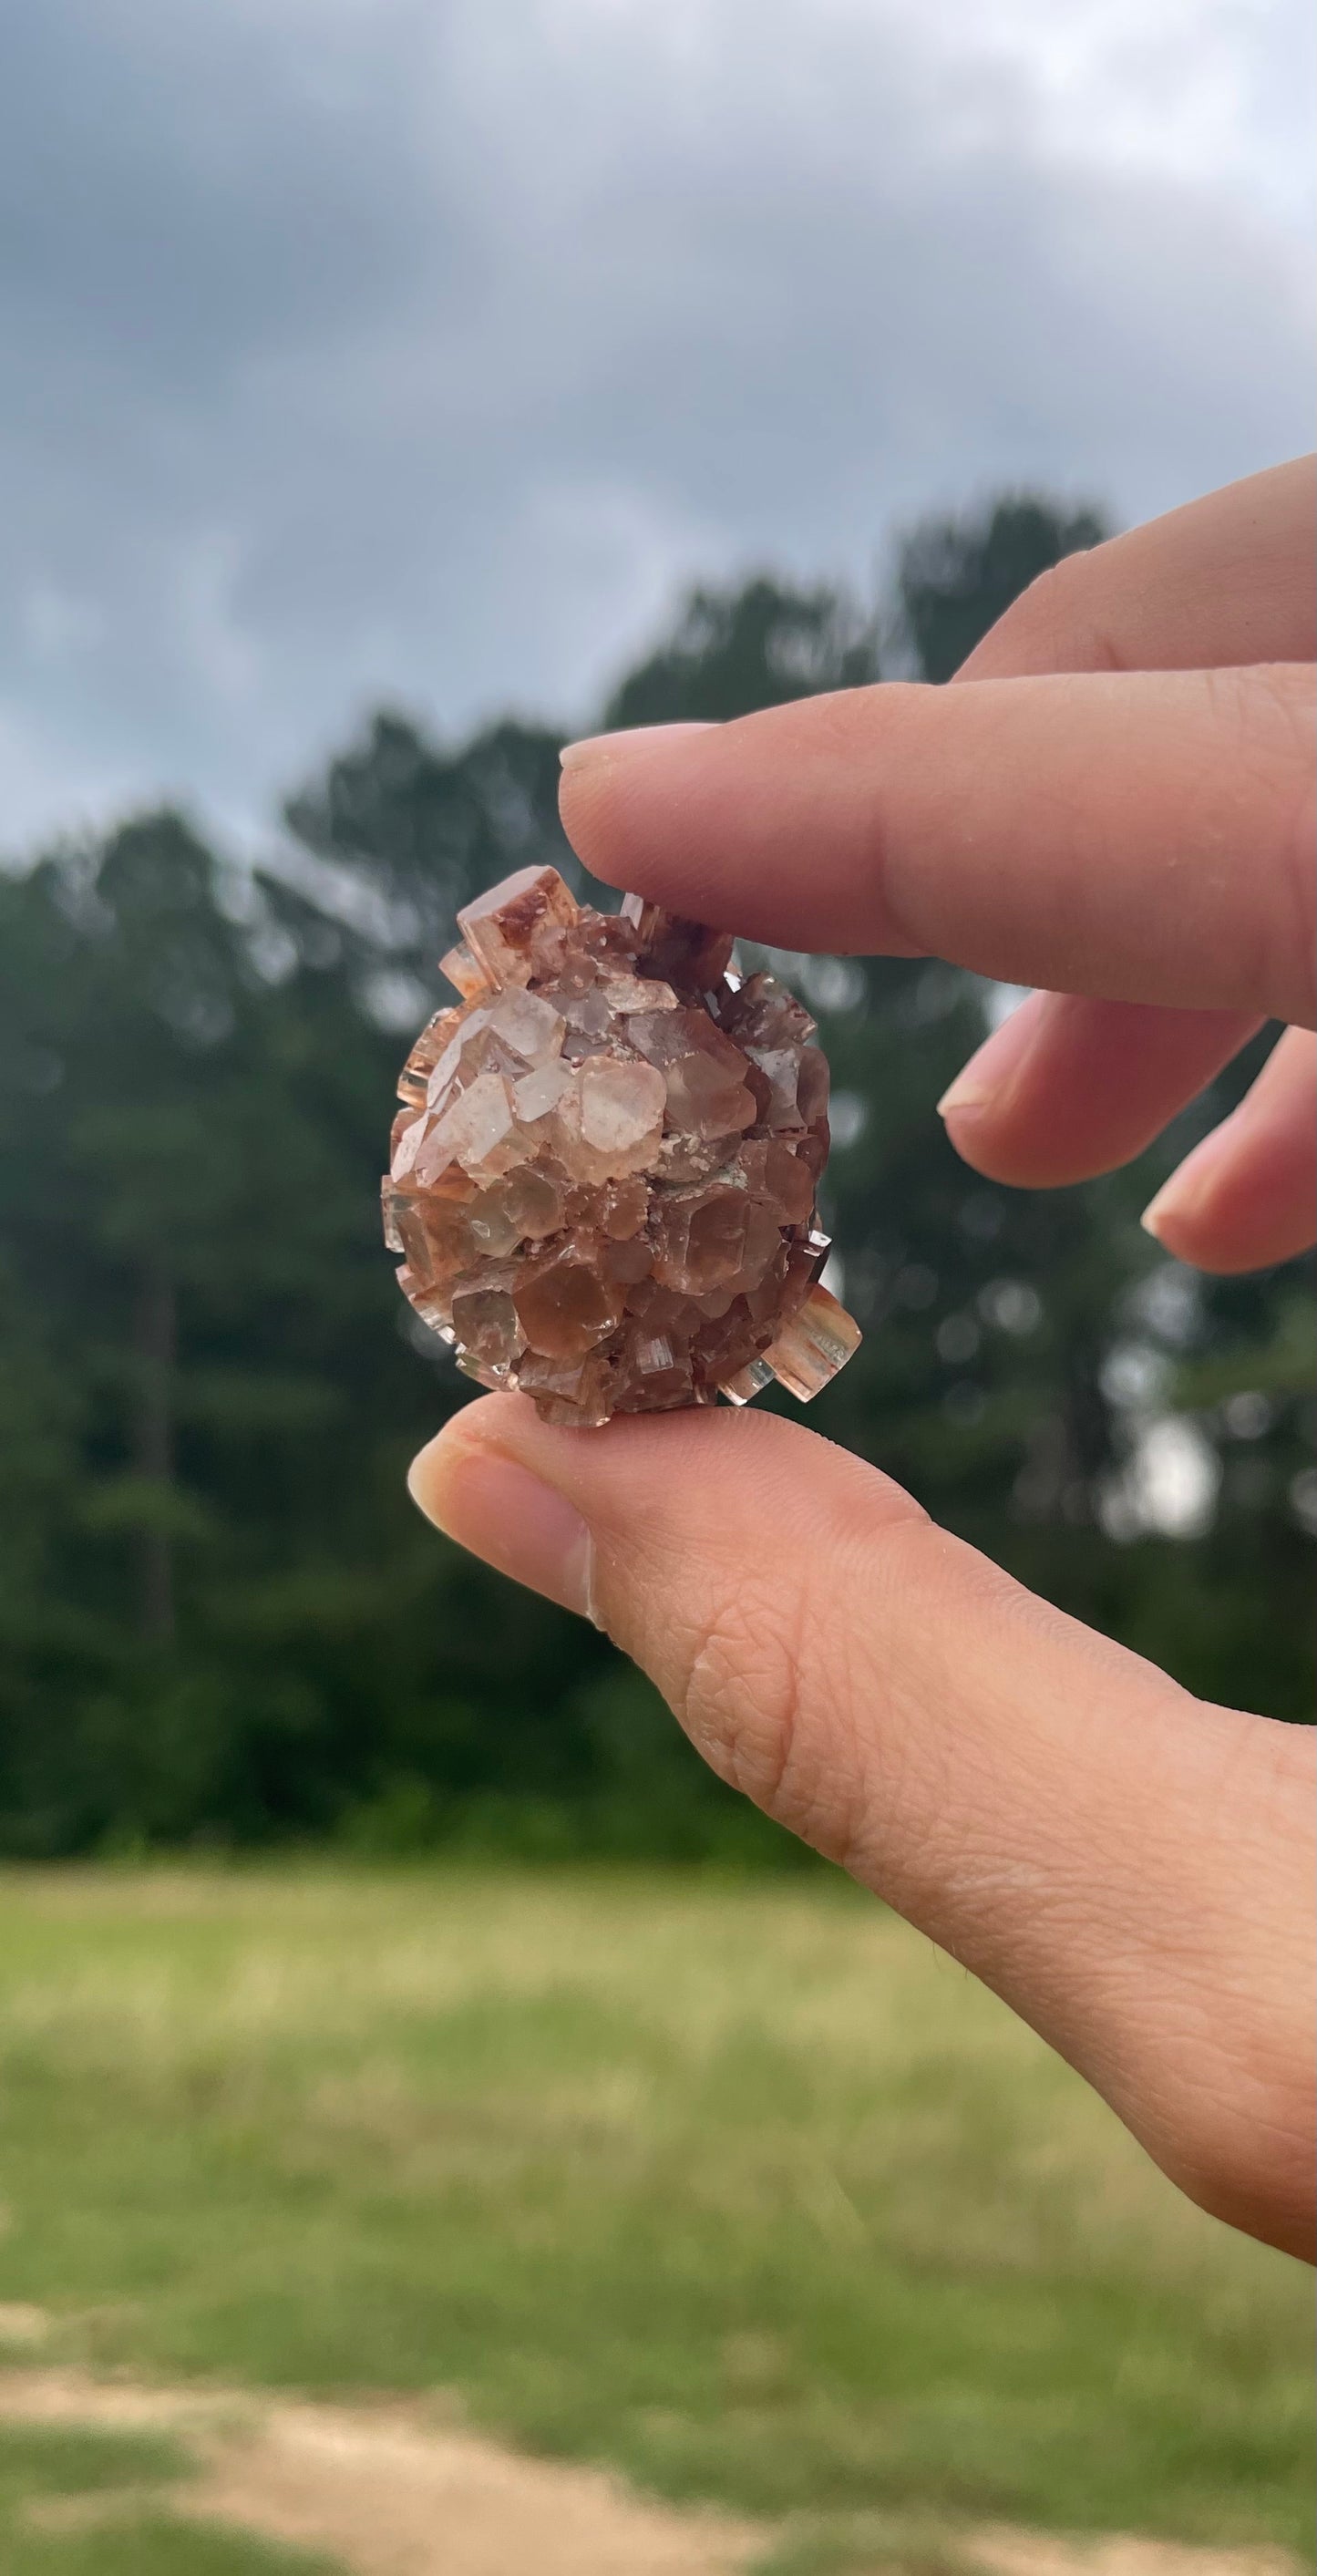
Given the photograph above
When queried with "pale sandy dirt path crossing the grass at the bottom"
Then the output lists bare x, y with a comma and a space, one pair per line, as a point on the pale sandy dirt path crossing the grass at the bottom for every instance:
396, 2492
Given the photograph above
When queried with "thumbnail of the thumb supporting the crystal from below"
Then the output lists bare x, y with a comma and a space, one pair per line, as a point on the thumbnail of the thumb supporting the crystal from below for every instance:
506, 1516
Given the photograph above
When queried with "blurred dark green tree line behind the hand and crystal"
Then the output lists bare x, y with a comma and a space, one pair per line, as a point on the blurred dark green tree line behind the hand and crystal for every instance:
220, 1622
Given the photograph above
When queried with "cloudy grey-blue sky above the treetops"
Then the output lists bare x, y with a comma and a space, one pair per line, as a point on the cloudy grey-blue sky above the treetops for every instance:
421, 349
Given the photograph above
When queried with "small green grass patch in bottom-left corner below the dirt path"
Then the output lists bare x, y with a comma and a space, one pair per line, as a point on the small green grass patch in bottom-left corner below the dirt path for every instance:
81, 2505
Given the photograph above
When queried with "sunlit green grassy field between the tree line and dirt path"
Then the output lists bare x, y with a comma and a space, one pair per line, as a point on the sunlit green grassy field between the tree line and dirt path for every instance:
738, 2188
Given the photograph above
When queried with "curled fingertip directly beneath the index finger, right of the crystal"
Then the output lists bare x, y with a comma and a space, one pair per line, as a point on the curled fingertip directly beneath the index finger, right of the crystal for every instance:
1068, 1088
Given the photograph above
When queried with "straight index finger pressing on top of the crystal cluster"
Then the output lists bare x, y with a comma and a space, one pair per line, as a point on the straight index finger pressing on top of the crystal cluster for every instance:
1143, 838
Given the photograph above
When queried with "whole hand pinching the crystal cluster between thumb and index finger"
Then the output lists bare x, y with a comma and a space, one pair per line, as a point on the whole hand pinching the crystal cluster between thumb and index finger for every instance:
1117, 808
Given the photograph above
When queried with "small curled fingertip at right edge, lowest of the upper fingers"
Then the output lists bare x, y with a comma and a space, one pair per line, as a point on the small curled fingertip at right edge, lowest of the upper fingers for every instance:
1249, 1191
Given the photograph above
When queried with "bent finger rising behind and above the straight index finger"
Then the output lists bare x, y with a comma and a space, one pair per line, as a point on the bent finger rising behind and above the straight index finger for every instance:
1223, 581
